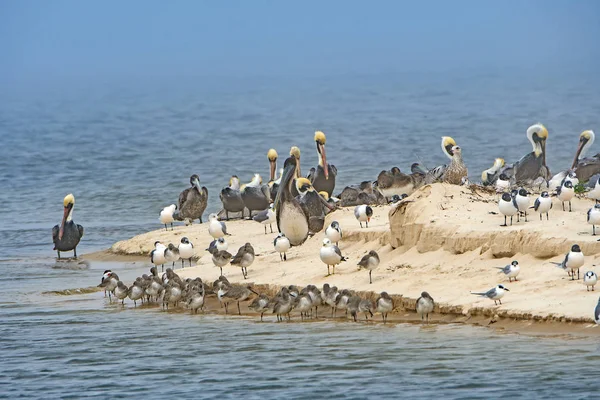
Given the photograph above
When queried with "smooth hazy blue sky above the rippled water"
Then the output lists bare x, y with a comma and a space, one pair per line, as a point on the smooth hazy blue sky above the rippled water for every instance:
56, 39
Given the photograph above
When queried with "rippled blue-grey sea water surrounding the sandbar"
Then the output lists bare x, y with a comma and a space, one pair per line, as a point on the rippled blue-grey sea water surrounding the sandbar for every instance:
126, 150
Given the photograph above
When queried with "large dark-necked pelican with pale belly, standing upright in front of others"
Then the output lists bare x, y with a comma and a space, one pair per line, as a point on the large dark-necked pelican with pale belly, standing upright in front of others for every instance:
292, 216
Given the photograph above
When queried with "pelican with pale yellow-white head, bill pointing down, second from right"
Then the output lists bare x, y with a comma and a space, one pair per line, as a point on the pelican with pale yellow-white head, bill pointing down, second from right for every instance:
532, 165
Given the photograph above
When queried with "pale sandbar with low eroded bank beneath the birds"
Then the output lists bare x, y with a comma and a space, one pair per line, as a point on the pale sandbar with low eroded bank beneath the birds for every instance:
443, 239
